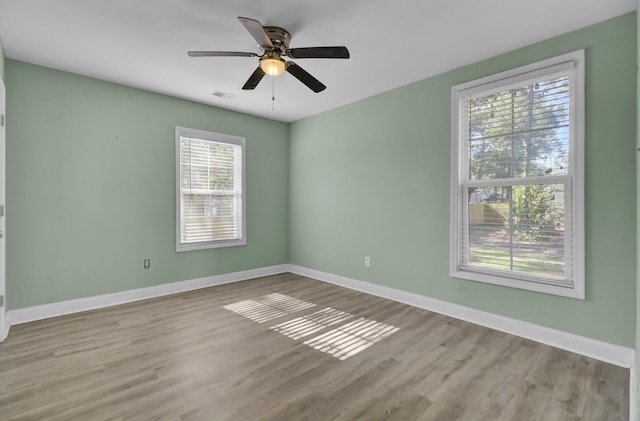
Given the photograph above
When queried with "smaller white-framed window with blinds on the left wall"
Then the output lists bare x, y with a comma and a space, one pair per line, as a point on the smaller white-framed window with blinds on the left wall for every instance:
210, 190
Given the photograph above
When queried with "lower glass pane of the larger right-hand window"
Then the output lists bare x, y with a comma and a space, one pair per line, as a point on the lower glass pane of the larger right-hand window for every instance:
517, 228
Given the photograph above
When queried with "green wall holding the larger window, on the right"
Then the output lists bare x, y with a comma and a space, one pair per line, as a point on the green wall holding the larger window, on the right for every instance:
373, 178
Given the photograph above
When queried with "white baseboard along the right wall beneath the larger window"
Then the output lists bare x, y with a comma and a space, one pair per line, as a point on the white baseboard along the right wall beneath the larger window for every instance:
603, 351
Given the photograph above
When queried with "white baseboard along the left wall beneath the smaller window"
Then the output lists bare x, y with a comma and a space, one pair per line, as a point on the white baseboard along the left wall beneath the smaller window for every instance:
45, 311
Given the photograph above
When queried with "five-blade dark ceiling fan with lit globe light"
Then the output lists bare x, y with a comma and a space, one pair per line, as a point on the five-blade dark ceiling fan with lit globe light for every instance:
274, 43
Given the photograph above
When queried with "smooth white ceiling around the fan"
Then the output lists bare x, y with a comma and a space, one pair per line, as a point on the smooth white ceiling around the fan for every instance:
143, 43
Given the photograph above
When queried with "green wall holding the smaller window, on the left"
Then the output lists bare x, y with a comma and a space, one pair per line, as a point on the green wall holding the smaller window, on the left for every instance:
91, 188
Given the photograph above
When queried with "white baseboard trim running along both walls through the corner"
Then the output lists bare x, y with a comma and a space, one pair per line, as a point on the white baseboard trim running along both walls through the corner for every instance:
603, 351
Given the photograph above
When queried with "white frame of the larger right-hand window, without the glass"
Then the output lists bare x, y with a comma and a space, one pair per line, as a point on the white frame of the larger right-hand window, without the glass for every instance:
574, 207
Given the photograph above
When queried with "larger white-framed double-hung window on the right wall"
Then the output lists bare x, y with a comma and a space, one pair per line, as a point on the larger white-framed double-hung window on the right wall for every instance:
517, 178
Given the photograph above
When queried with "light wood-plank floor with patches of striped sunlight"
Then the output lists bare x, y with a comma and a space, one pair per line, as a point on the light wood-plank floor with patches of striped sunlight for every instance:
186, 357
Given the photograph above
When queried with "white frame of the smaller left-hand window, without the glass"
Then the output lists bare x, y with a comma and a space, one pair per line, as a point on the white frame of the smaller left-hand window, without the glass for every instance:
220, 138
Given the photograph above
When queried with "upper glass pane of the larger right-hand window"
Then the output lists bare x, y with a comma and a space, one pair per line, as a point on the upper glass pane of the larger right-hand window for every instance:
520, 132
